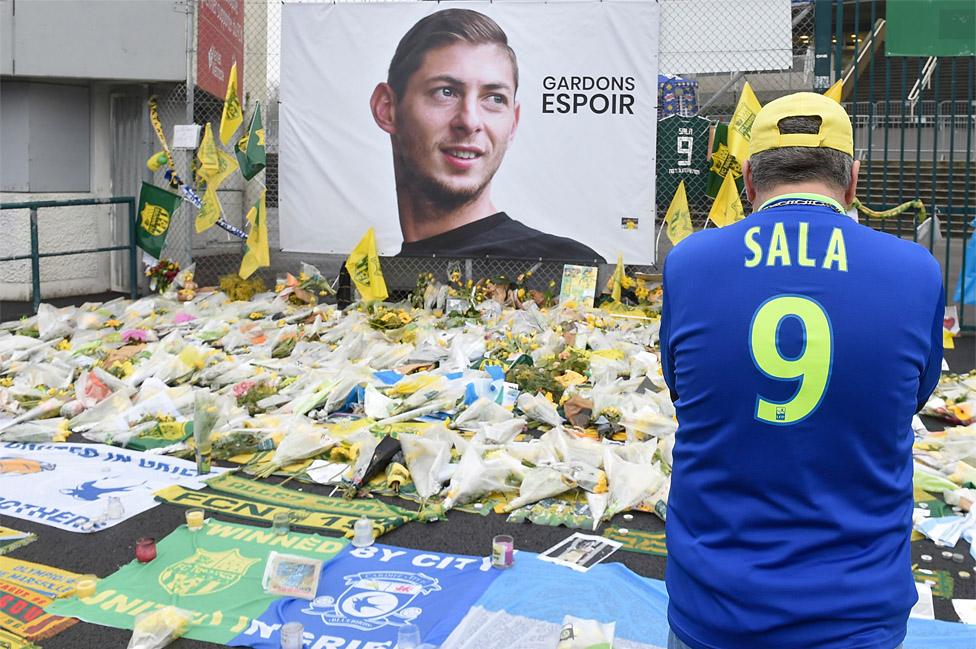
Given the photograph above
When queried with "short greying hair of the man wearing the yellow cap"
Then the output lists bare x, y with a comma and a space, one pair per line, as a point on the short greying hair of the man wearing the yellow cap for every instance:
800, 163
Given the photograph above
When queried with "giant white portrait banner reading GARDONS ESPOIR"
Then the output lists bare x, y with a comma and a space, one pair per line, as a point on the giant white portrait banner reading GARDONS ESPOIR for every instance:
575, 160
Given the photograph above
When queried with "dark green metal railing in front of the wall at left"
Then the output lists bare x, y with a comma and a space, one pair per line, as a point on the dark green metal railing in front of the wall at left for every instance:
36, 255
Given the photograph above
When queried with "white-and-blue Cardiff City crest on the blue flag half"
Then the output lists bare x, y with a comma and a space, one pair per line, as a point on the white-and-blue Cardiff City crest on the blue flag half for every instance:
373, 600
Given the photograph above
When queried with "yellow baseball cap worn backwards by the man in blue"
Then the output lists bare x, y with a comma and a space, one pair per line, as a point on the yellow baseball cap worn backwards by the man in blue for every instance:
835, 125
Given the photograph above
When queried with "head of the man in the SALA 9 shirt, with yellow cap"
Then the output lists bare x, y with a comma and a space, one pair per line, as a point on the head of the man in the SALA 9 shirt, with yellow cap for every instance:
801, 142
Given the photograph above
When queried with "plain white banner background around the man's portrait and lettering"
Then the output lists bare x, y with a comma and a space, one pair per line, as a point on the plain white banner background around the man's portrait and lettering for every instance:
570, 175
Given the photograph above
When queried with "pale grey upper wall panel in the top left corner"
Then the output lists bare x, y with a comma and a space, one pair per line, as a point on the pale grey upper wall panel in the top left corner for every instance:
94, 39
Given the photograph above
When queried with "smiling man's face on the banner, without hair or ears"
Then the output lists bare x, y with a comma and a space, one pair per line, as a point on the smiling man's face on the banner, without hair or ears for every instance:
455, 121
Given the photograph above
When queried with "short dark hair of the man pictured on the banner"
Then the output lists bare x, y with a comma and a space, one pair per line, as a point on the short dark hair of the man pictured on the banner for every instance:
441, 28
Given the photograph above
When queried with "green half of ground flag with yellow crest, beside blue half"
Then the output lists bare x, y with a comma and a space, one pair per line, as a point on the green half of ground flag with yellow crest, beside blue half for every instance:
215, 573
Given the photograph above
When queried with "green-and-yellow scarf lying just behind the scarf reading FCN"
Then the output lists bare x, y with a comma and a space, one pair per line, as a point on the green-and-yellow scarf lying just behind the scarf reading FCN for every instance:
385, 517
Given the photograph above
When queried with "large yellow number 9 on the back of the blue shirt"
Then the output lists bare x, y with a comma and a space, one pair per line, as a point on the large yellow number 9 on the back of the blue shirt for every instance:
811, 368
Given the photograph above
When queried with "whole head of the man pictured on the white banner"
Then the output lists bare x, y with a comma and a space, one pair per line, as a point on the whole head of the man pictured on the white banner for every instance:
449, 105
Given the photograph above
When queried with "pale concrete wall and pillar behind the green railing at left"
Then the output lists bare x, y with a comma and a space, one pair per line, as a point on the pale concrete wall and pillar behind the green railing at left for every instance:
62, 229
